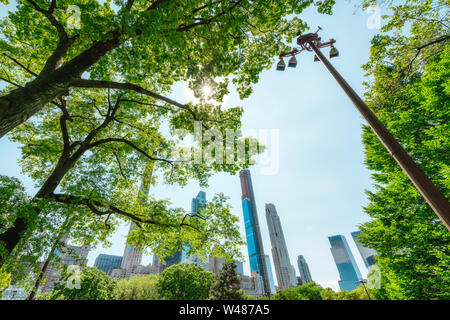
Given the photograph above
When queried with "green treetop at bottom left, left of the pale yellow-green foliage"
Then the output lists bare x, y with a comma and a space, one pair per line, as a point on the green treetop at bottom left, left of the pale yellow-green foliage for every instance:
93, 285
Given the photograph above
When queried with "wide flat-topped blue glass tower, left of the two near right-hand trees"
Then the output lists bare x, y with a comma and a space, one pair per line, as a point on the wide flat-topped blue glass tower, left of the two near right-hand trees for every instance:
345, 263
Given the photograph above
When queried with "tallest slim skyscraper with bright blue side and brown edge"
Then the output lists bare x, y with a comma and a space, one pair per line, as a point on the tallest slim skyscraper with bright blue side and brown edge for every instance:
252, 230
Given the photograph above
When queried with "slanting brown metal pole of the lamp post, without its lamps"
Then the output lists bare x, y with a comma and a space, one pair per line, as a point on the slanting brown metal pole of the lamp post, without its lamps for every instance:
436, 200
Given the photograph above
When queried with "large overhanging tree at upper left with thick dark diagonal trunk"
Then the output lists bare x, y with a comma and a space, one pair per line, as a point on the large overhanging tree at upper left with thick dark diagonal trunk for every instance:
50, 47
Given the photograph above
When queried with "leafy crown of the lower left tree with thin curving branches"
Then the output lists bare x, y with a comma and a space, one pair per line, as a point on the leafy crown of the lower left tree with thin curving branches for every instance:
90, 167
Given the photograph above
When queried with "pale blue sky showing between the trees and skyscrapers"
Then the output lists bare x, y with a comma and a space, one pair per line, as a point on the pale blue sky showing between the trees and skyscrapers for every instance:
319, 188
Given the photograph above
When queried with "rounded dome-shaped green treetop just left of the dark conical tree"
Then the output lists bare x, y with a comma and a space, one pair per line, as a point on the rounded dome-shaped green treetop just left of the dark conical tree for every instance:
185, 281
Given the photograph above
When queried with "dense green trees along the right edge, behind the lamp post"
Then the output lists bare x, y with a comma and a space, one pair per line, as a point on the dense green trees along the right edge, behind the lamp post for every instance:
408, 89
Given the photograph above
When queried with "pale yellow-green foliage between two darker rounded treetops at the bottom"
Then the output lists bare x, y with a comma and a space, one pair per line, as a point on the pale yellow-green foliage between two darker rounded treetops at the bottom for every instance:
138, 288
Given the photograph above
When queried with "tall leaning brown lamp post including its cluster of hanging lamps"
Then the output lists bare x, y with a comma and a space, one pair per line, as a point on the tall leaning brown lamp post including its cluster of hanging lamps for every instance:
436, 200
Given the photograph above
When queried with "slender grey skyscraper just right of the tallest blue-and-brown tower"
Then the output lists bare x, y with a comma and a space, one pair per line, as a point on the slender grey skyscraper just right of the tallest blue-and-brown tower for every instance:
283, 268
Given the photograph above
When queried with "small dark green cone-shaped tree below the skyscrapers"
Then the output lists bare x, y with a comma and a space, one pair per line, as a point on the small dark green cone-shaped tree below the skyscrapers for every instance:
227, 285
